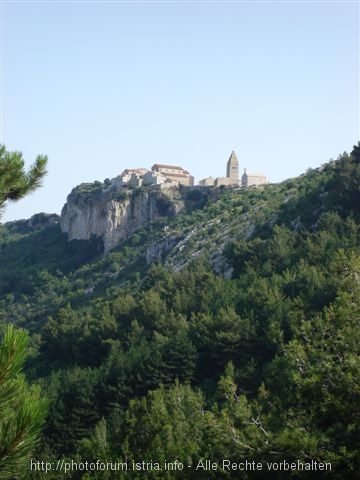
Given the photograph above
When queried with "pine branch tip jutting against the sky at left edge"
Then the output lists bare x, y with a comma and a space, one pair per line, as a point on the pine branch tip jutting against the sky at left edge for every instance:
15, 182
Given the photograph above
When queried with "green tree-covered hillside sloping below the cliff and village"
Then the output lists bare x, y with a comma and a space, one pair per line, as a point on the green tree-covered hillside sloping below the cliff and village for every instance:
153, 363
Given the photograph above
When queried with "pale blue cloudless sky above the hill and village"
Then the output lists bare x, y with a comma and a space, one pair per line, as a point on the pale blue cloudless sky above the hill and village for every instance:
102, 86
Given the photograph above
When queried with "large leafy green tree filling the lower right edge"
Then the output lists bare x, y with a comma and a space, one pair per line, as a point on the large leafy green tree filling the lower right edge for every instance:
313, 390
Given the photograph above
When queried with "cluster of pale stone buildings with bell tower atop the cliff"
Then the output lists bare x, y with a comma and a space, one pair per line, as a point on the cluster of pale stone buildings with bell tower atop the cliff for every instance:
174, 175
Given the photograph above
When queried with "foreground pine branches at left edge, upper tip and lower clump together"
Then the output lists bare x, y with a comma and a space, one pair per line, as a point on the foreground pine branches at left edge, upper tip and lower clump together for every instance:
22, 410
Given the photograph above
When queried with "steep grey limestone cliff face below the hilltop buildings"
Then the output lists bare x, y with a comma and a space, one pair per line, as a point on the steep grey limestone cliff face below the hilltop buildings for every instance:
114, 215
